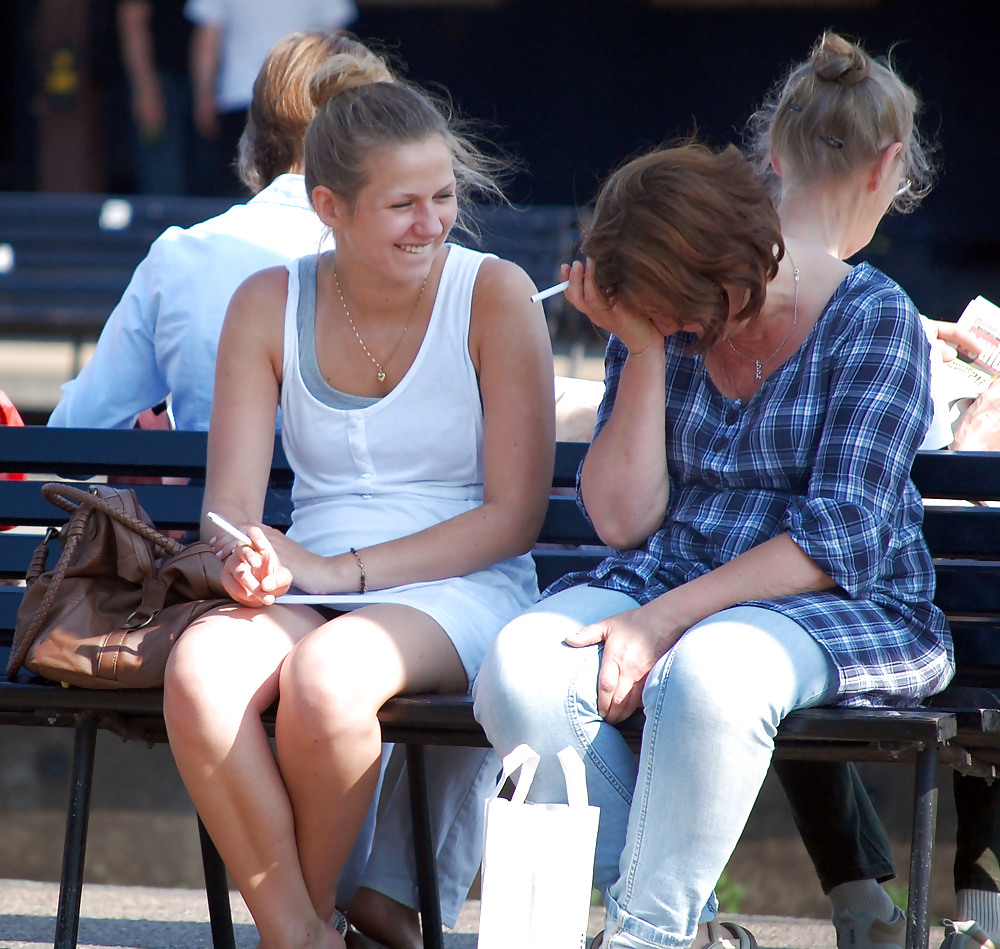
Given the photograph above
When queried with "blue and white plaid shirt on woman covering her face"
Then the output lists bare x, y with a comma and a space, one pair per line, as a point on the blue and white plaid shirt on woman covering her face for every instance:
822, 452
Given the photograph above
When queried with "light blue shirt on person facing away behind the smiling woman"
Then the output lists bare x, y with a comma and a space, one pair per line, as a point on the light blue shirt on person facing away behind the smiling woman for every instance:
162, 337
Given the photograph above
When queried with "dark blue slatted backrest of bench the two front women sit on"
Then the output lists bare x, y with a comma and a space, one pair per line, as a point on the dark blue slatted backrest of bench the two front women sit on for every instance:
964, 538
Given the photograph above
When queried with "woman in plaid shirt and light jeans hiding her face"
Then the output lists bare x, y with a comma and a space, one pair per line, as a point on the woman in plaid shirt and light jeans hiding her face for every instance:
750, 470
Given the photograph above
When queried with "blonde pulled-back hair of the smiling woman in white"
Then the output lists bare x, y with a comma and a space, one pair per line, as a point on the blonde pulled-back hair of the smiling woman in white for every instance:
353, 121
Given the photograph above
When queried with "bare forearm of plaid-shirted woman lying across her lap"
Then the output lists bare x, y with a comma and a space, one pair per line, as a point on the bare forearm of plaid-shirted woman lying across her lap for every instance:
776, 568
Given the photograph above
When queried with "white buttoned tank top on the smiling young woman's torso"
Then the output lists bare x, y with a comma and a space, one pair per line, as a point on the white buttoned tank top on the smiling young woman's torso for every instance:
407, 461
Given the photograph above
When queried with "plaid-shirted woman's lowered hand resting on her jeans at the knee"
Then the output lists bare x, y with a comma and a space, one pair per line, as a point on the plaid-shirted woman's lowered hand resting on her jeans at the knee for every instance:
632, 645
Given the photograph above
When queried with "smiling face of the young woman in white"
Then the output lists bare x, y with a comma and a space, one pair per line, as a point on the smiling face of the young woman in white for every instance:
403, 213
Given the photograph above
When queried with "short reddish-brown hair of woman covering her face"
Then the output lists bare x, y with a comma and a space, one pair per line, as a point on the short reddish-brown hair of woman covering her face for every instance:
675, 230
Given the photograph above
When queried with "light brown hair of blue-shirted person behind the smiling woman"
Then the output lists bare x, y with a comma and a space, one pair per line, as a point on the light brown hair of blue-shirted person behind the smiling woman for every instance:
282, 106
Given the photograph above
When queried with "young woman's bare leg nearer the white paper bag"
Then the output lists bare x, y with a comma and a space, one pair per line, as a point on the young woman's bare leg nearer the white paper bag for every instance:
328, 736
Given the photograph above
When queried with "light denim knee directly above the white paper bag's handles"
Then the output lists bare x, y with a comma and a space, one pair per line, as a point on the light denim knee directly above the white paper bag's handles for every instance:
525, 686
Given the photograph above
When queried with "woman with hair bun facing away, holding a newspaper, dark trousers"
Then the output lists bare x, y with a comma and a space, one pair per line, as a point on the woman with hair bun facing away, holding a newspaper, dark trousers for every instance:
834, 130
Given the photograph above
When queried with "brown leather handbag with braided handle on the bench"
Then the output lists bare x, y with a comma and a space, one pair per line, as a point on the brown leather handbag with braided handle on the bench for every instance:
121, 593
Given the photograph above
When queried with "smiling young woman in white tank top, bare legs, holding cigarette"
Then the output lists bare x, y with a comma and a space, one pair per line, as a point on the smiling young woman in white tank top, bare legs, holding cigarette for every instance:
414, 379
